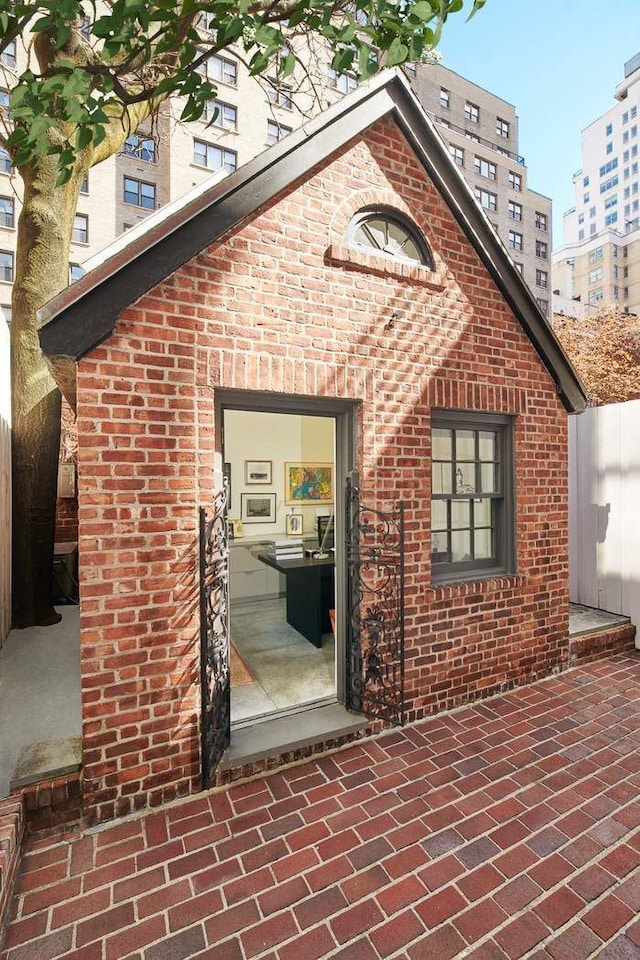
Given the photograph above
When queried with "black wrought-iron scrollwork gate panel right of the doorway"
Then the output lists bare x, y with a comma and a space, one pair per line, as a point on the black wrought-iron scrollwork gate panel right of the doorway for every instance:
375, 622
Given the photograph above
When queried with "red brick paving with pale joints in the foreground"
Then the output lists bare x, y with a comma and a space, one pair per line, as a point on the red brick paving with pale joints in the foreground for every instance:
506, 829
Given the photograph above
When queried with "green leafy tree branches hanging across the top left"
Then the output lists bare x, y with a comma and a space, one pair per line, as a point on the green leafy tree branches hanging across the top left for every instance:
90, 69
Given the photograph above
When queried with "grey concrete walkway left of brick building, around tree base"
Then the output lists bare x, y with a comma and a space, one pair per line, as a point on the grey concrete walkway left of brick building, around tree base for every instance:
39, 688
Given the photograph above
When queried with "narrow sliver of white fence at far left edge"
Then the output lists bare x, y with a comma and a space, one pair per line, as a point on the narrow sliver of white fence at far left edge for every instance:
5, 482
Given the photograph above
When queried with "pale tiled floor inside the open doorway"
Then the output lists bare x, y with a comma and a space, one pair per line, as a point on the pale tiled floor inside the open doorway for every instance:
286, 670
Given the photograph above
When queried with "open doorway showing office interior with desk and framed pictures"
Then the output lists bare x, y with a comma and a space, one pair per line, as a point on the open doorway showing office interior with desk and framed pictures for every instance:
285, 639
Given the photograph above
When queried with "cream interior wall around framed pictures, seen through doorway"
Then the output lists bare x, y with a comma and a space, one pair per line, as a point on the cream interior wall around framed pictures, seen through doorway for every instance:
280, 438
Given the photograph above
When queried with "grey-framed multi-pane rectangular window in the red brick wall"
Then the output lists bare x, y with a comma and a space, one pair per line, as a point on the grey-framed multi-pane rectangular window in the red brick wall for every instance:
472, 523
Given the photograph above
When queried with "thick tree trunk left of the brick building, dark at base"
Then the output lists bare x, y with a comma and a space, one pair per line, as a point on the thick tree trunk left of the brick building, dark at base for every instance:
42, 266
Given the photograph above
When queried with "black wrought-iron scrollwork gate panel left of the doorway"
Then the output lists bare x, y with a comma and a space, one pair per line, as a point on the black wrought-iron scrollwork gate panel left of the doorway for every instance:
214, 636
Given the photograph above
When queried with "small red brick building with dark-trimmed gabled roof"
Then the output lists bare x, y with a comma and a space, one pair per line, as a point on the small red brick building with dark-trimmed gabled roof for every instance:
346, 278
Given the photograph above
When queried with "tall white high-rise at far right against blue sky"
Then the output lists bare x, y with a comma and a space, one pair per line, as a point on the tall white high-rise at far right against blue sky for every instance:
599, 261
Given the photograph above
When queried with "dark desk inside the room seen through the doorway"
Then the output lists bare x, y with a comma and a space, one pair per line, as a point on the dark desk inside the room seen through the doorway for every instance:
310, 594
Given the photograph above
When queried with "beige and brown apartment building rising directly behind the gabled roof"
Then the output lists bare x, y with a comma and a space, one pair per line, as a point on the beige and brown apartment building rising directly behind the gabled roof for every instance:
162, 161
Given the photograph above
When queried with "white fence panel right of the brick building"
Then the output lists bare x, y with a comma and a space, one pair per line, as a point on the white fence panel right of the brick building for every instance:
604, 508
